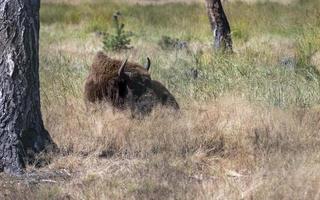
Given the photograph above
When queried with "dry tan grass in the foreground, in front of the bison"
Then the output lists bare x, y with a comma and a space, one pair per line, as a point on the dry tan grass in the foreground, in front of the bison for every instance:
225, 149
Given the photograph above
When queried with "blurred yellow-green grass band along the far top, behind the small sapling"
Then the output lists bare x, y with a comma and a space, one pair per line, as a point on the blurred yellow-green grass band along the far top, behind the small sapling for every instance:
189, 21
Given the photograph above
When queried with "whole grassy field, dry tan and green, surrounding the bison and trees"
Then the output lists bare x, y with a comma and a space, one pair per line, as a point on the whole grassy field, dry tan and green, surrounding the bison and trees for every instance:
249, 125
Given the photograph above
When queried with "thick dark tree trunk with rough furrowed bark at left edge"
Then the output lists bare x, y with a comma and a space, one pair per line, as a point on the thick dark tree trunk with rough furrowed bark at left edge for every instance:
22, 134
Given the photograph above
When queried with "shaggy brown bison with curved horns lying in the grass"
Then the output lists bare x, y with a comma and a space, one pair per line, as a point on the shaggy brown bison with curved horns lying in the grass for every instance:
125, 85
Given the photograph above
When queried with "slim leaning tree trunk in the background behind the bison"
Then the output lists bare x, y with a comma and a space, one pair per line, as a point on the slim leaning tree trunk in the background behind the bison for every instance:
219, 25
